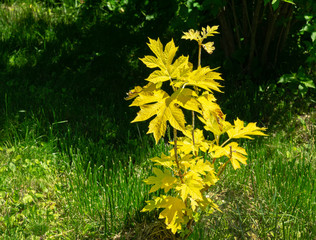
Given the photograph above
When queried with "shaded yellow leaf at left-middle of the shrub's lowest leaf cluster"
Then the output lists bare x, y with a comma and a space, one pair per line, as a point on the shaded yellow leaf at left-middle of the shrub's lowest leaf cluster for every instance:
162, 180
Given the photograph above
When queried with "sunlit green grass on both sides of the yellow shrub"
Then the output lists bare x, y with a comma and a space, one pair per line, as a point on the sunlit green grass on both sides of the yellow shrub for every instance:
50, 194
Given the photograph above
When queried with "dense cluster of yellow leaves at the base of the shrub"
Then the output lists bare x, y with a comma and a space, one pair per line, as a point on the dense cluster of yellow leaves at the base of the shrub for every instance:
197, 174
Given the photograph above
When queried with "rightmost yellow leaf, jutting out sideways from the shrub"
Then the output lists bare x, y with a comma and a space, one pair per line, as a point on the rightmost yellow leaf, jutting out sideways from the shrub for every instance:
239, 131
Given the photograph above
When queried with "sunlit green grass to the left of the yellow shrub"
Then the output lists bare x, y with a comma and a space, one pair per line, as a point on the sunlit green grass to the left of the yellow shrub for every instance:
47, 193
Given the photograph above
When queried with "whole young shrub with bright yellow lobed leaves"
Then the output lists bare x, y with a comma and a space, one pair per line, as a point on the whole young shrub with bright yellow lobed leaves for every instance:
183, 174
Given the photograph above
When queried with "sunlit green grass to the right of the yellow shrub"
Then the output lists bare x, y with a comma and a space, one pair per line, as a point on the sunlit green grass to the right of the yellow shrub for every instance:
273, 197
